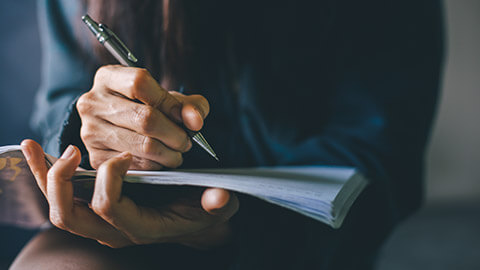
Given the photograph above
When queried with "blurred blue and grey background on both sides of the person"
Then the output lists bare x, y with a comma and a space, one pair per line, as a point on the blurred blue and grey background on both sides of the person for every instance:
444, 234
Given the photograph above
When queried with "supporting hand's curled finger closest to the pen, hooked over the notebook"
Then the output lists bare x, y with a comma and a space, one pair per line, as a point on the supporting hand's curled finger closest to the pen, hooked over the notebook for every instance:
141, 225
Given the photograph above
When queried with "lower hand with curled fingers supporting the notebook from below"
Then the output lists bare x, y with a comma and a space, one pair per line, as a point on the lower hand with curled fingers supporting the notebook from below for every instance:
115, 220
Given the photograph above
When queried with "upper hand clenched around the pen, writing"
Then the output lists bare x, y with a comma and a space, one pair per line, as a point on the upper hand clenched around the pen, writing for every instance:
126, 110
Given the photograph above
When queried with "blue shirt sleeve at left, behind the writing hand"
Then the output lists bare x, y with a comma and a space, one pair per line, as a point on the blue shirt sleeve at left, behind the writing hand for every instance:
66, 74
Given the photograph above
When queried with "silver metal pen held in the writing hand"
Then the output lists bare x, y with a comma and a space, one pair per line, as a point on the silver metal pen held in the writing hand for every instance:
123, 55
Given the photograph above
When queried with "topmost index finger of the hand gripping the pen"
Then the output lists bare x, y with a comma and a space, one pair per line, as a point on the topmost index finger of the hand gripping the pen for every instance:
138, 84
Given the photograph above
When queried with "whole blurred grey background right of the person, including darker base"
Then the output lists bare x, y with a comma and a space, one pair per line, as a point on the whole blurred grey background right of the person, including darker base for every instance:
445, 233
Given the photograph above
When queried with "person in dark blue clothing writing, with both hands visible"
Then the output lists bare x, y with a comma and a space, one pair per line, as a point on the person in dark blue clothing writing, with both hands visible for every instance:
346, 83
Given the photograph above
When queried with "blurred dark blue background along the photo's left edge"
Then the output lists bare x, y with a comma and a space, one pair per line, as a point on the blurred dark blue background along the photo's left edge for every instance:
19, 79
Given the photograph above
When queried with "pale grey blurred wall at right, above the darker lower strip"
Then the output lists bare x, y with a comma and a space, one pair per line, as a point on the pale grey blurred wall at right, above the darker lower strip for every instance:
454, 156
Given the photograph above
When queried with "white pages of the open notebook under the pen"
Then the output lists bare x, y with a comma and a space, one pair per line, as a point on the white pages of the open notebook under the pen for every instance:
309, 190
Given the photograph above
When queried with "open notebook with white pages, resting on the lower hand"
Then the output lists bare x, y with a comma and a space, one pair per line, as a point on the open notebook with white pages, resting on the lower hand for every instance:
322, 193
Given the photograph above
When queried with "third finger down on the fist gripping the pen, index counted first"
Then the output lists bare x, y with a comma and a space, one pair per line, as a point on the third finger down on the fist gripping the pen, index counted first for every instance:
110, 137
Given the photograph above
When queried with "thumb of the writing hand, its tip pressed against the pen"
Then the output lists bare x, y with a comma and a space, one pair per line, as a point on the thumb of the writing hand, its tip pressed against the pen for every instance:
194, 110
